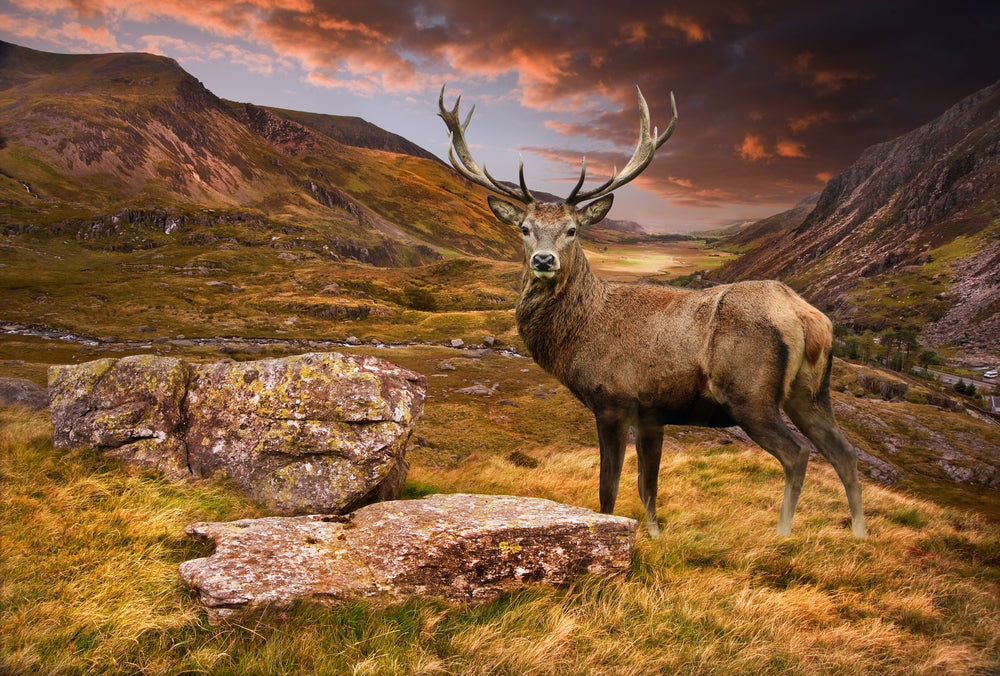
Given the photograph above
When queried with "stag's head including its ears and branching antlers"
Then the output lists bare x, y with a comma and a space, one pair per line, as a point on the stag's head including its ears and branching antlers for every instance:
550, 228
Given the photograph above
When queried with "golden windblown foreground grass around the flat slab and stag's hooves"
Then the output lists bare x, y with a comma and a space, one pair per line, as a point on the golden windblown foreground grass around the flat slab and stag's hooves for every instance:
90, 549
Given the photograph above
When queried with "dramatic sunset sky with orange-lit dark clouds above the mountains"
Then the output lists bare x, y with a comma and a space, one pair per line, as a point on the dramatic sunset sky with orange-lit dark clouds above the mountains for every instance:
774, 98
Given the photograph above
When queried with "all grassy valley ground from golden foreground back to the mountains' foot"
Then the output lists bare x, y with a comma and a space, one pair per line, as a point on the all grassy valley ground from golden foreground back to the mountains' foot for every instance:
90, 548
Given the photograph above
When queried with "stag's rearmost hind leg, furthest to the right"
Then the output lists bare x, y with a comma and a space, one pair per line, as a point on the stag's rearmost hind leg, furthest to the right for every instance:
815, 418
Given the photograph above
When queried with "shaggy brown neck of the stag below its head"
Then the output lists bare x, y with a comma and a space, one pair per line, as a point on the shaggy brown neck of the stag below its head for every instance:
552, 313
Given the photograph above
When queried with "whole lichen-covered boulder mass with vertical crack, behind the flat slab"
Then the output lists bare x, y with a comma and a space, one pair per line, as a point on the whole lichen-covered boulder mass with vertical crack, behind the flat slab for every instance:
319, 432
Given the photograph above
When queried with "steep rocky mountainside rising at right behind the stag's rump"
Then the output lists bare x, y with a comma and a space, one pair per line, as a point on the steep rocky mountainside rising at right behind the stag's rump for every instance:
906, 237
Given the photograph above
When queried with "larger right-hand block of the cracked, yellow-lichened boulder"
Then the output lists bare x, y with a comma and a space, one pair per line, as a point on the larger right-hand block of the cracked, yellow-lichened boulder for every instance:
317, 432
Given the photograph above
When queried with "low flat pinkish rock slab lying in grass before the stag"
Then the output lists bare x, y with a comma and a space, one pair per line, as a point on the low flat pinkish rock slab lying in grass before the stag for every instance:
457, 547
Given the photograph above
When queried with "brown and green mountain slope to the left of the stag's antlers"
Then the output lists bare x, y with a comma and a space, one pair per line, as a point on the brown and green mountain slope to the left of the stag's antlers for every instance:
126, 143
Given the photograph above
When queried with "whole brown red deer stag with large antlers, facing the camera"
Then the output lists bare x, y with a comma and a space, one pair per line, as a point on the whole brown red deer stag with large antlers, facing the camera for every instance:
645, 356
